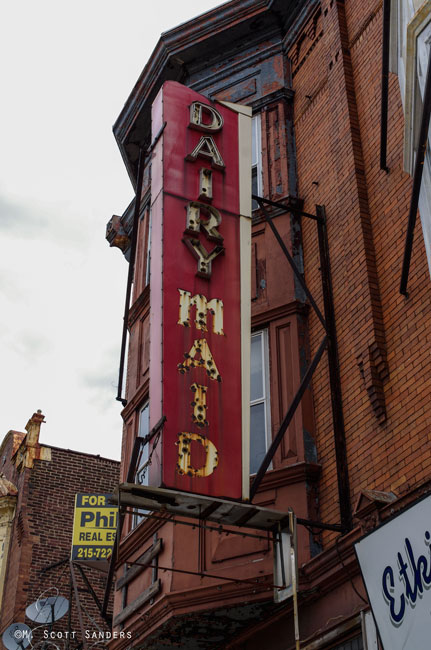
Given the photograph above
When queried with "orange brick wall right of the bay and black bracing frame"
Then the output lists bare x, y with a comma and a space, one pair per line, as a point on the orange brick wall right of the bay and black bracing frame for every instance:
382, 337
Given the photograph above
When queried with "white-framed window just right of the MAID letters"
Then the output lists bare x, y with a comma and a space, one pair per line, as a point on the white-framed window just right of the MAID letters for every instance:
259, 400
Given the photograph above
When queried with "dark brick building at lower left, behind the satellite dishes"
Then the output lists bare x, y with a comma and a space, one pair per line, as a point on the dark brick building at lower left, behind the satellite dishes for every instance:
47, 479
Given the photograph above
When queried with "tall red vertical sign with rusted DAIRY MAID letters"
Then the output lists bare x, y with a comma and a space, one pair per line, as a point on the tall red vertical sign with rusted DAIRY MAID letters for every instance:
200, 293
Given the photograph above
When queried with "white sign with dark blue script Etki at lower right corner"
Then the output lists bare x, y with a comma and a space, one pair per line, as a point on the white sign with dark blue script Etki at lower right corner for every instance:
395, 561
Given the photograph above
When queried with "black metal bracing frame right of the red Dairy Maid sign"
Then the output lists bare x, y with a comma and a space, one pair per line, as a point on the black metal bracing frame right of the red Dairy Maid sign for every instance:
330, 343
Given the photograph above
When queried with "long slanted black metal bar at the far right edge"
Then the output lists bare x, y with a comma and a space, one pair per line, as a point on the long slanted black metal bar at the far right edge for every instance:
417, 180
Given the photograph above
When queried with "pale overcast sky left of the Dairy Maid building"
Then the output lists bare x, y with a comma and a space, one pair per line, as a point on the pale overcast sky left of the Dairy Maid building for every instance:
67, 69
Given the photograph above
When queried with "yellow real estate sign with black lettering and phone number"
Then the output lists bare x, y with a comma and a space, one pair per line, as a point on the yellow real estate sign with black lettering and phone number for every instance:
94, 527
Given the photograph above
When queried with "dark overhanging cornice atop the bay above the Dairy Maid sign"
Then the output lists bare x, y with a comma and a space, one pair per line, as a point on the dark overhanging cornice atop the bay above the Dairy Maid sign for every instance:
220, 29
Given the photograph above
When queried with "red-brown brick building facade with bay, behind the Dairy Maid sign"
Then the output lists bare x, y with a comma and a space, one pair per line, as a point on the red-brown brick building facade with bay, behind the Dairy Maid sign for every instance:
312, 70
